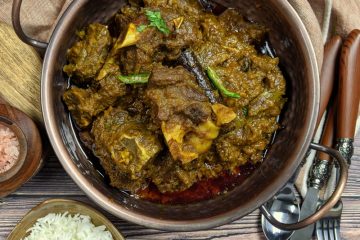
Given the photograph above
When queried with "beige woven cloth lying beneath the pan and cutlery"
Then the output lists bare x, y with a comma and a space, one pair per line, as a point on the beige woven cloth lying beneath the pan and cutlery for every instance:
322, 18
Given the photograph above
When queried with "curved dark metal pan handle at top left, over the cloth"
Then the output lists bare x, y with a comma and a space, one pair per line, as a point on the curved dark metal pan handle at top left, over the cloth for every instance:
15, 15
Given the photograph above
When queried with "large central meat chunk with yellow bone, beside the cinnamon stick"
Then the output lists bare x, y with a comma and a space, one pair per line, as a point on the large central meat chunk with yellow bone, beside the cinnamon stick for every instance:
188, 120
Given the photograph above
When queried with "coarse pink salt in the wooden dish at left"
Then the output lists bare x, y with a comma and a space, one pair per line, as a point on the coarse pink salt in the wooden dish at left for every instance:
9, 148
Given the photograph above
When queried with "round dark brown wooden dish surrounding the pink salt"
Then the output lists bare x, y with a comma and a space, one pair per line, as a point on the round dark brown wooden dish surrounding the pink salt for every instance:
30, 157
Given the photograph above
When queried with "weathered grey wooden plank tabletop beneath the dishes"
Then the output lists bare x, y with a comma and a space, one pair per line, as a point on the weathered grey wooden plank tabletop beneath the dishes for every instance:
53, 182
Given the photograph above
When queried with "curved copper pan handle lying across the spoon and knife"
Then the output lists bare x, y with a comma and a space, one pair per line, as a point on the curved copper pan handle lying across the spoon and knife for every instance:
330, 203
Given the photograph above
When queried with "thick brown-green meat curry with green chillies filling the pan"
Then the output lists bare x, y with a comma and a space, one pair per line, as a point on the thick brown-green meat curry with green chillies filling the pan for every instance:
170, 94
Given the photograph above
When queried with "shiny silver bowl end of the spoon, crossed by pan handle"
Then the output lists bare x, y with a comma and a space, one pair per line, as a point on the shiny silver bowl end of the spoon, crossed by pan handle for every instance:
285, 208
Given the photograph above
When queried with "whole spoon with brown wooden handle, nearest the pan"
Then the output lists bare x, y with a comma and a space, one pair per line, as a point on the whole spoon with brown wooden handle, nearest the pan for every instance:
285, 208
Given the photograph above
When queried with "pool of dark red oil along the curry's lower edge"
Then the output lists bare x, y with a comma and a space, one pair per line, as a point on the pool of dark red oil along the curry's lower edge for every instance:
202, 190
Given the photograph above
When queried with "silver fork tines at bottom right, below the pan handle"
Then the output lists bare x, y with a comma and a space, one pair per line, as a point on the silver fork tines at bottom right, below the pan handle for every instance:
328, 228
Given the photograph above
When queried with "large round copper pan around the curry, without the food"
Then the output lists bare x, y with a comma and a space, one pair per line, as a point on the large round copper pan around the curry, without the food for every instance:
292, 44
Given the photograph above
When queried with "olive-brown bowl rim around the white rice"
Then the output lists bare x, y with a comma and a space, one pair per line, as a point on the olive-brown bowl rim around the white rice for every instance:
61, 206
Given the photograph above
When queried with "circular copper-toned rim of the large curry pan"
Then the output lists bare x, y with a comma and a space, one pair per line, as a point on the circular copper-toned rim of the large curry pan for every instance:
152, 222
